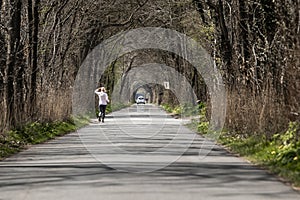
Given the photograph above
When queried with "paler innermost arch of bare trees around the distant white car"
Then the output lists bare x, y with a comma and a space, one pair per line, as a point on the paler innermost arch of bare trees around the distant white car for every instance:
149, 79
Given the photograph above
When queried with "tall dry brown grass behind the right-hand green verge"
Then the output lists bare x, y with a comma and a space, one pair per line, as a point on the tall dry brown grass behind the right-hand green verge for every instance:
264, 113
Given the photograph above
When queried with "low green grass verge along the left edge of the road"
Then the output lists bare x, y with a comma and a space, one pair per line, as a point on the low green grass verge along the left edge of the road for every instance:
34, 133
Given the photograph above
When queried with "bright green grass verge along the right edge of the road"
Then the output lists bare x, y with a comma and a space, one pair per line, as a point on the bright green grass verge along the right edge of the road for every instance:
279, 154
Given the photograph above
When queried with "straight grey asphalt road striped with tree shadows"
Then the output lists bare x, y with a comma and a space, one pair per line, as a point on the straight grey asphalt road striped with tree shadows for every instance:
138, 153
